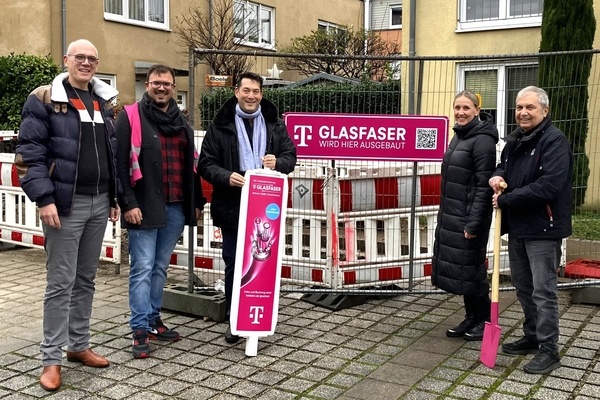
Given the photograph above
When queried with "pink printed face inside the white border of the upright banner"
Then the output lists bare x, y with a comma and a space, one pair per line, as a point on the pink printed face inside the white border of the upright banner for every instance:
261, 252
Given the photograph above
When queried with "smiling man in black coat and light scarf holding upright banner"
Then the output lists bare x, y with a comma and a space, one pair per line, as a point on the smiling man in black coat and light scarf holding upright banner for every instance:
246, 134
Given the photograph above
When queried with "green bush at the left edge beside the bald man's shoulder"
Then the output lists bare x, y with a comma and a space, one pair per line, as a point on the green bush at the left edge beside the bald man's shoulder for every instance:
19, 75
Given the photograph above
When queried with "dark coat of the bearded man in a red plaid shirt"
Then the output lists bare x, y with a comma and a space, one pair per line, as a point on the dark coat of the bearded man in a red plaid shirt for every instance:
147, 194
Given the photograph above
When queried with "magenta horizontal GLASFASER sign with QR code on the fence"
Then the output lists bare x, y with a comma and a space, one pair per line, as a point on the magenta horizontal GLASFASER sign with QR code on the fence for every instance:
368, 136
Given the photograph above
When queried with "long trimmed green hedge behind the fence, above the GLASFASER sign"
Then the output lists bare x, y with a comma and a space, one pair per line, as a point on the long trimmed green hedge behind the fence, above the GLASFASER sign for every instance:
364, 98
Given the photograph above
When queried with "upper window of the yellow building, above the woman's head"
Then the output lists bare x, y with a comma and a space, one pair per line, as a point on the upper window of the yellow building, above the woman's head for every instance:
499, 14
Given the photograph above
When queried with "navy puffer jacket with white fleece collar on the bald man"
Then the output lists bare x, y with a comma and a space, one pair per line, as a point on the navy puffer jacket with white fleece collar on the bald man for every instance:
49, 144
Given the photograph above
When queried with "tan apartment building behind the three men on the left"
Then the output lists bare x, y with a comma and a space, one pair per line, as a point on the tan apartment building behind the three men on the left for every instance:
131, 35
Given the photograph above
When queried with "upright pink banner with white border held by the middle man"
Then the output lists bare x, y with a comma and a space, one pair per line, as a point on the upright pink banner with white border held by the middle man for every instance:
255, 296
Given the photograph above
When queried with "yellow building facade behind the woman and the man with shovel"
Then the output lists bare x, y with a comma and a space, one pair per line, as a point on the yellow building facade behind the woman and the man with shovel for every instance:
462, 28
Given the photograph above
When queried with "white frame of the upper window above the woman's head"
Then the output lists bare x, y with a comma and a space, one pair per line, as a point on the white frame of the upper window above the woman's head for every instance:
504, 21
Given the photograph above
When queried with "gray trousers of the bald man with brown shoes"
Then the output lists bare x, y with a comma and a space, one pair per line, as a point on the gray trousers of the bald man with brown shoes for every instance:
73, 252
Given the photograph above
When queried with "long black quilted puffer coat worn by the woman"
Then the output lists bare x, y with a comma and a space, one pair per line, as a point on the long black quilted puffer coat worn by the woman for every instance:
465, 205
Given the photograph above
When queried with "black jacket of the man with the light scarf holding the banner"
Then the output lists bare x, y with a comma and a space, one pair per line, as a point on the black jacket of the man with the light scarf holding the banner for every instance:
219, 158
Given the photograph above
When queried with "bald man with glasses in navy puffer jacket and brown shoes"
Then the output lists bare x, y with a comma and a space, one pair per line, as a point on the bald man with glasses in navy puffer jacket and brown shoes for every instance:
67, 165
